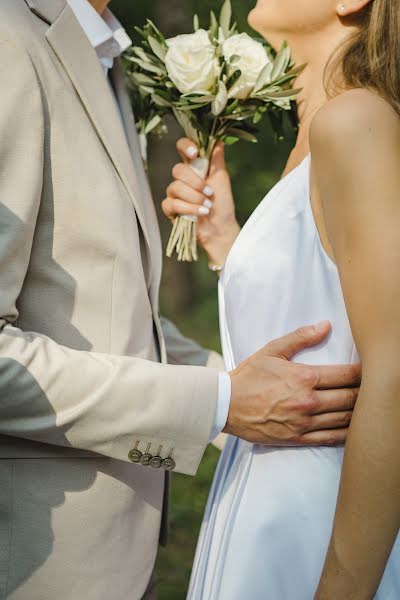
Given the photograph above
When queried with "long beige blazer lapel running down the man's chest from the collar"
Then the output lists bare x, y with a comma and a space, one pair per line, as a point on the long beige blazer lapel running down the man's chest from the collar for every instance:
83, 67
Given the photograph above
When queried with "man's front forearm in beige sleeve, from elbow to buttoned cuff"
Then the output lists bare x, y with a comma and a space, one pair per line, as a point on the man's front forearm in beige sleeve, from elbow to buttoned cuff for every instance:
103, 403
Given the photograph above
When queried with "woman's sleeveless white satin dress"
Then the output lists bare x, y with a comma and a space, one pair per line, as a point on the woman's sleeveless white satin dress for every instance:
268, 520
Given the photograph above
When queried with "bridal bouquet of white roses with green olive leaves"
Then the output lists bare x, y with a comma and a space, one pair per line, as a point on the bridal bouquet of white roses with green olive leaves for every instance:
218, 84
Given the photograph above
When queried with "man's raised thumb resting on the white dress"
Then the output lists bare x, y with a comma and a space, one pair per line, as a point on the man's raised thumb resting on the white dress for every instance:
289, 345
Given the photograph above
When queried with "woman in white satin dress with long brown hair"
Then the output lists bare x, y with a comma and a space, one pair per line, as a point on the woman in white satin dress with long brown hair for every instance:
327, 231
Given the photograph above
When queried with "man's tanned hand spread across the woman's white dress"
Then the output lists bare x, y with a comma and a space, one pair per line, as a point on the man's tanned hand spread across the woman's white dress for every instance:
276, 402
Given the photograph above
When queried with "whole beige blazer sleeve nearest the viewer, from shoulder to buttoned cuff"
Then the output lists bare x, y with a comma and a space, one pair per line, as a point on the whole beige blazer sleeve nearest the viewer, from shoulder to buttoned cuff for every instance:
57, 395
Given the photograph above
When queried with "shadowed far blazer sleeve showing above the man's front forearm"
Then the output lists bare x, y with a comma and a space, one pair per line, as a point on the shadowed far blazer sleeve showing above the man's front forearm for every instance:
184, 351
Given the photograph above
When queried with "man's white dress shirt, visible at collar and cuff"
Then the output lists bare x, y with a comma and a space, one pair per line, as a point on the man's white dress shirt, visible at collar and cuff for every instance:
107, 36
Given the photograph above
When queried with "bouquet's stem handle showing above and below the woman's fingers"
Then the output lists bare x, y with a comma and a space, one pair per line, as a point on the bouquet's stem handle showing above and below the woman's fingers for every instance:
183, 238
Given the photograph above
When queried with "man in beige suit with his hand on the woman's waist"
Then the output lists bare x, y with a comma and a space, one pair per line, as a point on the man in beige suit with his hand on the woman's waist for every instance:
92, 417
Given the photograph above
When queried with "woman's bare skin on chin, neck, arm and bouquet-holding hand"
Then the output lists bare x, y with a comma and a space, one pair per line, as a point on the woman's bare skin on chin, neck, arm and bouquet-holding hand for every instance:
355, 188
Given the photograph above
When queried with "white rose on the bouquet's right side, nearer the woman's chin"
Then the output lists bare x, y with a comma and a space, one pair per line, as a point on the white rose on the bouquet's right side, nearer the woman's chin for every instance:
253, 59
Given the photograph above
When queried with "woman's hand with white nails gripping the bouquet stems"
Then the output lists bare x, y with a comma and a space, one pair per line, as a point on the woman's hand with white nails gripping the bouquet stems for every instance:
209, 199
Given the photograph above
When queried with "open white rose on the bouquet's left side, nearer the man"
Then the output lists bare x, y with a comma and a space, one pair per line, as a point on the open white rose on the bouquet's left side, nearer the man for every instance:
191, 62
